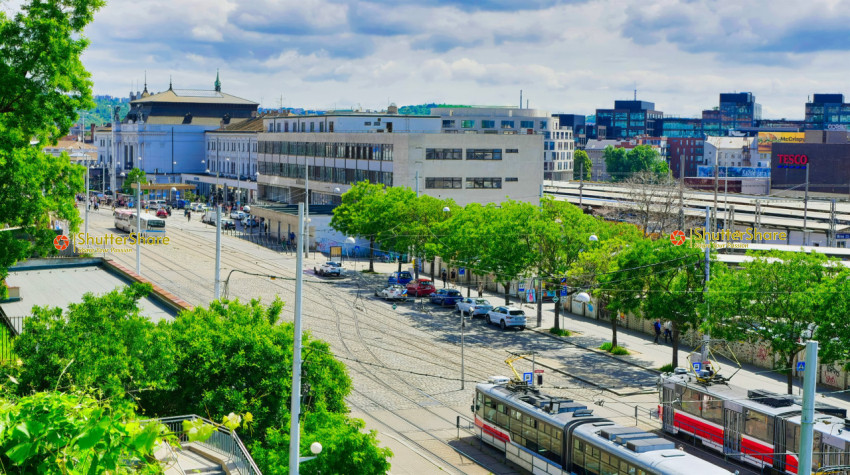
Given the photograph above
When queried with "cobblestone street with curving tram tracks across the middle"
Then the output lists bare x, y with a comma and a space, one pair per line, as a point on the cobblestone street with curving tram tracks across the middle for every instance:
405, 362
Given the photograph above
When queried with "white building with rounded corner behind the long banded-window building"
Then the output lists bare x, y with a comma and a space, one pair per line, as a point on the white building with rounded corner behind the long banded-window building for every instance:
558, 144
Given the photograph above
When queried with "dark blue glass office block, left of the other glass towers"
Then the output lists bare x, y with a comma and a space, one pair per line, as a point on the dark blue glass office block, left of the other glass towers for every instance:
628, 119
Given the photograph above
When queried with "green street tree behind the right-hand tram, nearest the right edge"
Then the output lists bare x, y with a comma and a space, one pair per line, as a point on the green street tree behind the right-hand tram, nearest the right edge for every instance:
778, 299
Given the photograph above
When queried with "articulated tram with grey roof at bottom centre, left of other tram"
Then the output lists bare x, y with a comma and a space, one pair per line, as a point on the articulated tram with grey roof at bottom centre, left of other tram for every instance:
552, 435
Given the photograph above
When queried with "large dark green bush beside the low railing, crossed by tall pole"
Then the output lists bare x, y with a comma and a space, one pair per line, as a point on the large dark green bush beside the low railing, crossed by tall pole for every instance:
237, 357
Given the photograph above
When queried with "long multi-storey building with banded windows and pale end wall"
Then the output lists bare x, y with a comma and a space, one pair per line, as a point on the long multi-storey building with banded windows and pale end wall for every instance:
482, 168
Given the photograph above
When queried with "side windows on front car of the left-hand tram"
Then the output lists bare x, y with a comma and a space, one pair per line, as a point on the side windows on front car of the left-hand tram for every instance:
537, 436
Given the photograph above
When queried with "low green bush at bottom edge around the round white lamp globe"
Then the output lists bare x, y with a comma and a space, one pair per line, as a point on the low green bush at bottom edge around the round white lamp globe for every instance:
347, 448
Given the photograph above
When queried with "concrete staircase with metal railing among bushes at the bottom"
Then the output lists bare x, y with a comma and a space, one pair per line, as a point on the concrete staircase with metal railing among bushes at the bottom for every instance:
222, 454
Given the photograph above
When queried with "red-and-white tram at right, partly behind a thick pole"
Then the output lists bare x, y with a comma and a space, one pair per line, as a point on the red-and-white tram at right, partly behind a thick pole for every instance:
757, 427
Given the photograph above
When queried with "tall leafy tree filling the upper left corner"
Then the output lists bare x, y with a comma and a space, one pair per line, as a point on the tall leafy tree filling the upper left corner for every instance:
42, 82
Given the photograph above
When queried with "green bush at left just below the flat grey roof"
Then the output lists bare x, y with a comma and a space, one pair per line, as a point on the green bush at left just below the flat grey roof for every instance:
102, 343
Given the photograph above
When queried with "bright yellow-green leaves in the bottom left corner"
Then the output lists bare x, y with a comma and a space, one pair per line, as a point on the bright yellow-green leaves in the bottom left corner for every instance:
59, 433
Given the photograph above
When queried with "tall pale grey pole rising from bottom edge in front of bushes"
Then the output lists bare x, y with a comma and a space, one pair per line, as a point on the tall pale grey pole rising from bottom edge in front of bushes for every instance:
295, 402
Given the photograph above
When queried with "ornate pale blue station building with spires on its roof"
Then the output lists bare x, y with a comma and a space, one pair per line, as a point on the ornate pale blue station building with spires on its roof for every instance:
163, 133
